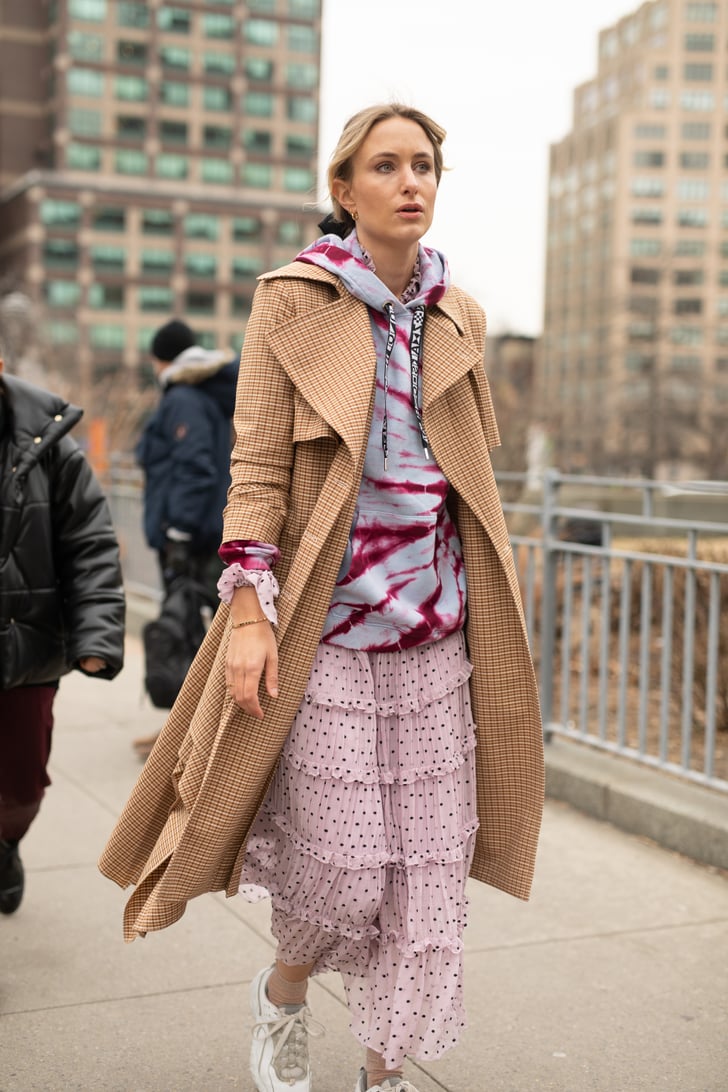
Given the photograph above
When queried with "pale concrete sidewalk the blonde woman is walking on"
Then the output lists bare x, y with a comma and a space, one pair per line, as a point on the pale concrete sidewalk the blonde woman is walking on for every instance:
614, 979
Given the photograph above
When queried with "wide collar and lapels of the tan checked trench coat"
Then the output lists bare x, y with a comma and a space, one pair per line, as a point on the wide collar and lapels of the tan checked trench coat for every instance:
329, 354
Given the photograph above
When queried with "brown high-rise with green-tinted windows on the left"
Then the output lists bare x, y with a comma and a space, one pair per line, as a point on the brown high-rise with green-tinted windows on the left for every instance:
154, 159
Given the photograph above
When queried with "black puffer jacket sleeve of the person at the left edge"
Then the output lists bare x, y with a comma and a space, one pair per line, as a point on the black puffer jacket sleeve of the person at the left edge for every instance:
87, 563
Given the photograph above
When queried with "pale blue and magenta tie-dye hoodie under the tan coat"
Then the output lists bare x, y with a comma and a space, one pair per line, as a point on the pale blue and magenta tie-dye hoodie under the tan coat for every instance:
402, 581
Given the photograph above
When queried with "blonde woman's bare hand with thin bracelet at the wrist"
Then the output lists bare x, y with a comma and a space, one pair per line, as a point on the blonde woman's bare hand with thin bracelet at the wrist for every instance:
252, 652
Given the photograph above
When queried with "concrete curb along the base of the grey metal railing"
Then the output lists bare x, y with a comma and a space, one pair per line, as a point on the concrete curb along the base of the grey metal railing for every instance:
690, 820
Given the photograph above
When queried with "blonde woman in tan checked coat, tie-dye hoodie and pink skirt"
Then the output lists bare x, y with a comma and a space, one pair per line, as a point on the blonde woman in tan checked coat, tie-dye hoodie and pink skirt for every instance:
349, 758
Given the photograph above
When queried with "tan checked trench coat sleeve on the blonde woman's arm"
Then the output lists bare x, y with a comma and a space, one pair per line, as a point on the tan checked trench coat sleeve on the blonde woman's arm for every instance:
264, 452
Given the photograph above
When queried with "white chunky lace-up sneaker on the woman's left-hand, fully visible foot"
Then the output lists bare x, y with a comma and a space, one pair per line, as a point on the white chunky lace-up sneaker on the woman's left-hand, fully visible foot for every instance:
280, 1050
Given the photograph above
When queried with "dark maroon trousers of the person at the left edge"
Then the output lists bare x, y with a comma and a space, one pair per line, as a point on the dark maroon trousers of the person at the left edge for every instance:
27, 725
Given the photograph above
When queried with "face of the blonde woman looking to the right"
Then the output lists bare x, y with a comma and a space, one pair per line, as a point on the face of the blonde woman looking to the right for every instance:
393, 185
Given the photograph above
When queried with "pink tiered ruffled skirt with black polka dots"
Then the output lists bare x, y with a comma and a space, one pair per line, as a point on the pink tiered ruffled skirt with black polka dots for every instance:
366, 839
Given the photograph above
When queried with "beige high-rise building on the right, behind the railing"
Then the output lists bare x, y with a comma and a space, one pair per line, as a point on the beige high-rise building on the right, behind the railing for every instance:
634, 369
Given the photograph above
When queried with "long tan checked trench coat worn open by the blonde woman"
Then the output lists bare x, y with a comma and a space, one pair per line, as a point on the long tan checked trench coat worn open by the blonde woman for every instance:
303, 419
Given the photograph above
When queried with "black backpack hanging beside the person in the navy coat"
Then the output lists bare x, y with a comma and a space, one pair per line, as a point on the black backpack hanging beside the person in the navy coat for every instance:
172, 640
